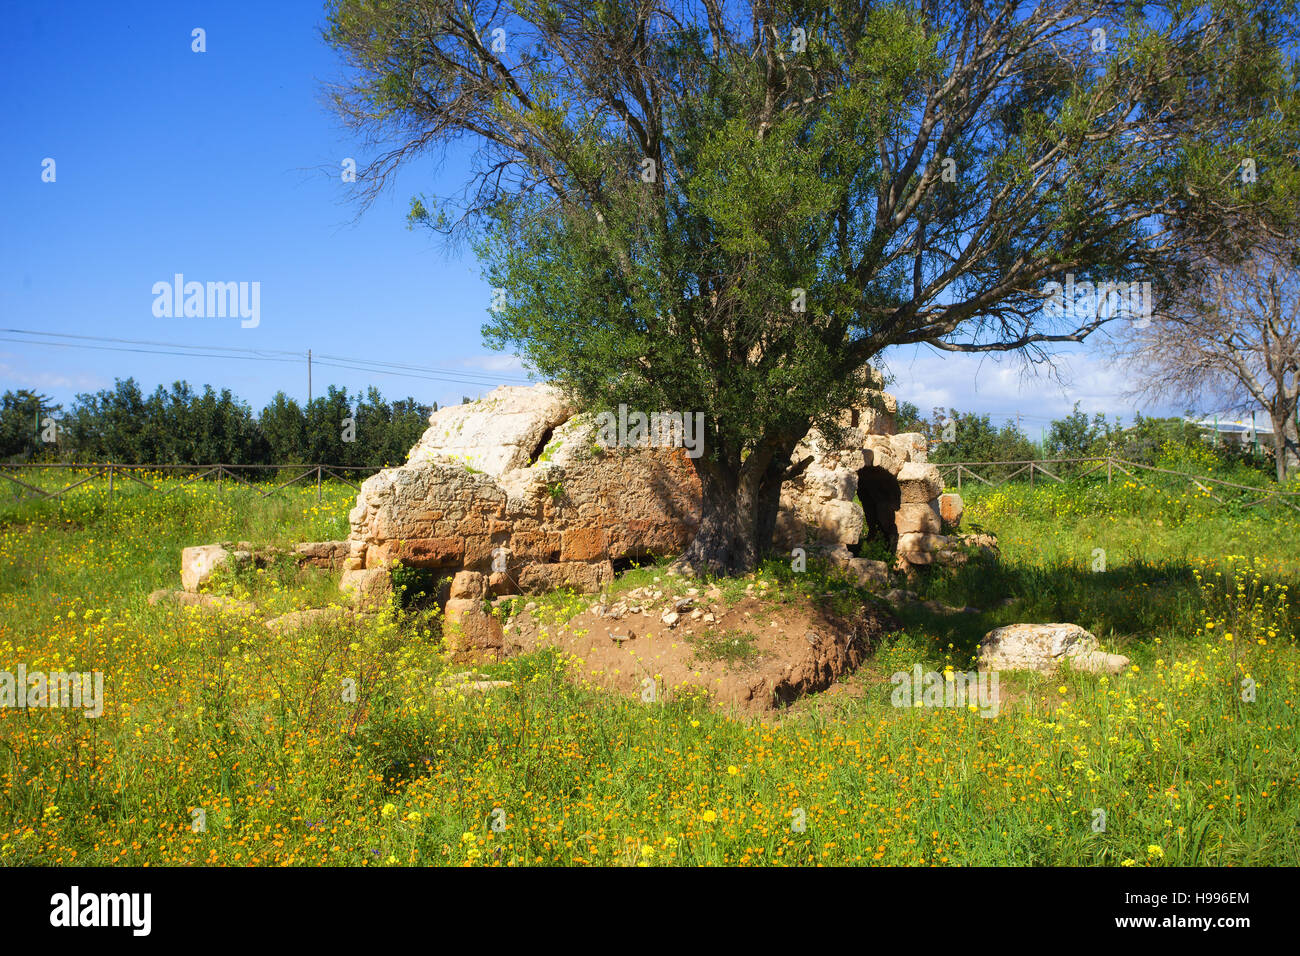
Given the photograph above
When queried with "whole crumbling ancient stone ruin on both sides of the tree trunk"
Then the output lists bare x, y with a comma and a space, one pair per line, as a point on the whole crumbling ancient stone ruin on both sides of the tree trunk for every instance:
514, 494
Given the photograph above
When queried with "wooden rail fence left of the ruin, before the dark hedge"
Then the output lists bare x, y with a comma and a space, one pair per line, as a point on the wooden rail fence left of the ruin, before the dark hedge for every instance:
141, 475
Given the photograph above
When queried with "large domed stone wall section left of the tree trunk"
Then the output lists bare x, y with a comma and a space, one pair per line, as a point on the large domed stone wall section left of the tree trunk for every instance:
519, 485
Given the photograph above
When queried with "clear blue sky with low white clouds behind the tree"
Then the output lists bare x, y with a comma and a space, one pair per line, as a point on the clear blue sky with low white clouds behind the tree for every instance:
224, 166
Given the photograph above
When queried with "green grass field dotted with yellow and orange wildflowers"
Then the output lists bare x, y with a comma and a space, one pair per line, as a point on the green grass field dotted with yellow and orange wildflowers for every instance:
224, 745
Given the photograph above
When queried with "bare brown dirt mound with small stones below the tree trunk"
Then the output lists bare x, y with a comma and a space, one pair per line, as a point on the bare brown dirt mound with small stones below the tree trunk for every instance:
753, 656
